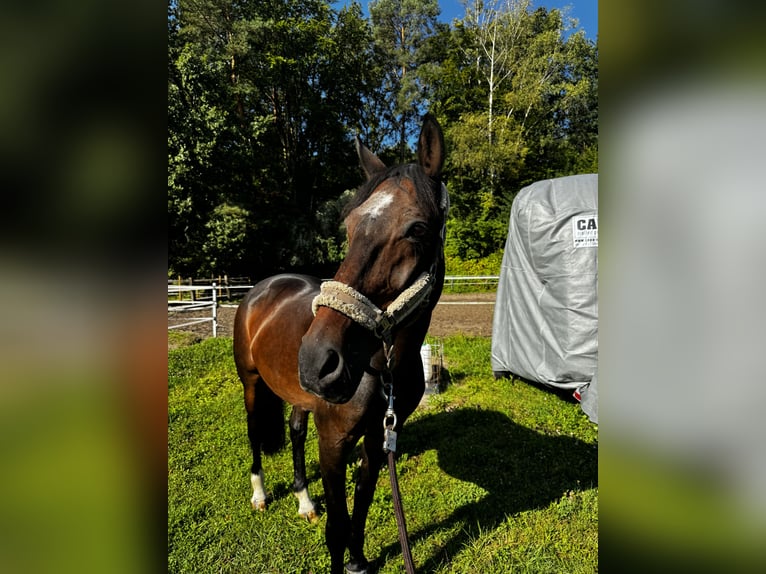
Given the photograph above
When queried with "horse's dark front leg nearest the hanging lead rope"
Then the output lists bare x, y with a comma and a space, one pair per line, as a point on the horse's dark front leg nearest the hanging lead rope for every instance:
372, 460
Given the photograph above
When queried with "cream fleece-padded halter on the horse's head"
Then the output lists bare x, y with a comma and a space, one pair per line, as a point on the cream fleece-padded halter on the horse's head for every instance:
357, 307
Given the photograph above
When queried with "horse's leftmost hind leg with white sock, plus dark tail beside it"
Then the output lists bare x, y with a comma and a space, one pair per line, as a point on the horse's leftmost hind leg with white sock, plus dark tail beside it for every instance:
265, 430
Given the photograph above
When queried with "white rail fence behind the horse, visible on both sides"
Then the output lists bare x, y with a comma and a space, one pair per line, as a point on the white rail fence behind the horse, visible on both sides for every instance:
196, 304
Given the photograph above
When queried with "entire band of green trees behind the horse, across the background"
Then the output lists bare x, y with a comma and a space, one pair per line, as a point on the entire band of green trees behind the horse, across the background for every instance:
264, 98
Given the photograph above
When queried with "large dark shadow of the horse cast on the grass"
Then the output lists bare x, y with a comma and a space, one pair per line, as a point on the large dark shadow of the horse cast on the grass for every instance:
519, 468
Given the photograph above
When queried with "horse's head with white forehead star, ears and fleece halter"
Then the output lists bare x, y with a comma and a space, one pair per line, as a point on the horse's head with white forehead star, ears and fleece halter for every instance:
395, 227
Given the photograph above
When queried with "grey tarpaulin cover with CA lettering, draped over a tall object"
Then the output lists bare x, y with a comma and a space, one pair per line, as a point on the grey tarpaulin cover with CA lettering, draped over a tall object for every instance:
545, 326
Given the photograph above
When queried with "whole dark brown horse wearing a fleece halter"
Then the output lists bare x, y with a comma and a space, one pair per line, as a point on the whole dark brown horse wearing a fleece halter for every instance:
323, 348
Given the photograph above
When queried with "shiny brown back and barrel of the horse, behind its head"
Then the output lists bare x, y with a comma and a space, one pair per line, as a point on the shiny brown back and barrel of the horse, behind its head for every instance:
268, 327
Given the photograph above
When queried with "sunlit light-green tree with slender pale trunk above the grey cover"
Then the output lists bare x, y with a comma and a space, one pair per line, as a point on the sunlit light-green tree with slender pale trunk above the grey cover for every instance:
520, 94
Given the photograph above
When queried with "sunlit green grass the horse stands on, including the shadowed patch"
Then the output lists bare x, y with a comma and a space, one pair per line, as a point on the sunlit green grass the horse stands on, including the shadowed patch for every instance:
495, 477
